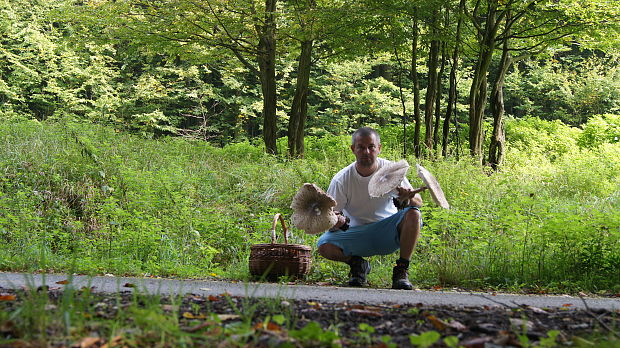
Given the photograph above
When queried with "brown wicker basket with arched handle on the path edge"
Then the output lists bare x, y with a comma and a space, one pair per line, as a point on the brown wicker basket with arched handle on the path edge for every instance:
274, 260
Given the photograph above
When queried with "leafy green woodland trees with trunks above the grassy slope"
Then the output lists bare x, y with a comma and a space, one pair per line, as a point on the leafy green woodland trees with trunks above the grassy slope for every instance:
231, 70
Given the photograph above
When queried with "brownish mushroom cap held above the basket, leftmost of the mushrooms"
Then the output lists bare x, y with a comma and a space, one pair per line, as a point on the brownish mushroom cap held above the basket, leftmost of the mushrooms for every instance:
313, 210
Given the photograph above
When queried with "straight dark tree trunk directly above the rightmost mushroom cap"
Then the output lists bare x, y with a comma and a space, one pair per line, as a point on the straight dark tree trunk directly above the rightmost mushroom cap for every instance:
431, 90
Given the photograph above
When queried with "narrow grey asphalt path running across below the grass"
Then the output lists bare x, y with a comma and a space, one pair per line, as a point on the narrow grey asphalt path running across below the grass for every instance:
112, 284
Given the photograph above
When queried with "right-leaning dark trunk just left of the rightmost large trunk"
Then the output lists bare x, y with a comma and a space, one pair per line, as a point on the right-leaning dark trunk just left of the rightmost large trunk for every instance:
478, 91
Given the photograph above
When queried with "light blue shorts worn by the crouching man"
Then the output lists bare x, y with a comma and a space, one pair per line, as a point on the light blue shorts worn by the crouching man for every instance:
377, 238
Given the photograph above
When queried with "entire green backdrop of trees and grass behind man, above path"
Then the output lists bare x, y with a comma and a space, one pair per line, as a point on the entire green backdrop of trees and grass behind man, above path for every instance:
160, 137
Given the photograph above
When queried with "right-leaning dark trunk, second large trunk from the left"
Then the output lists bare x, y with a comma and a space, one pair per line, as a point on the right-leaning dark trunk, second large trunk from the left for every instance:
299, 107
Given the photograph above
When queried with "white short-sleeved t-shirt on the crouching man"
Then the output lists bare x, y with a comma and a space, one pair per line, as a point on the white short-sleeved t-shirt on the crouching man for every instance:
350, 190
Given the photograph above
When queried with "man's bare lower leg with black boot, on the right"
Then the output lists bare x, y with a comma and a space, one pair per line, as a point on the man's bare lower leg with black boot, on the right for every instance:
409, 230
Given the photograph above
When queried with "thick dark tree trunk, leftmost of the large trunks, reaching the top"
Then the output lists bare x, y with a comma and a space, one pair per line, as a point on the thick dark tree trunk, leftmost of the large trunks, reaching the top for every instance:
267, 67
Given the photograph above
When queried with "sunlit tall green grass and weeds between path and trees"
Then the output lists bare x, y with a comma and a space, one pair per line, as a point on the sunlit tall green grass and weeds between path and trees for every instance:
94, 200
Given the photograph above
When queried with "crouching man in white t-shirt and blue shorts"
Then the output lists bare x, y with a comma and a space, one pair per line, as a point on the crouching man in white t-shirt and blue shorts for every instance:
376, 226
